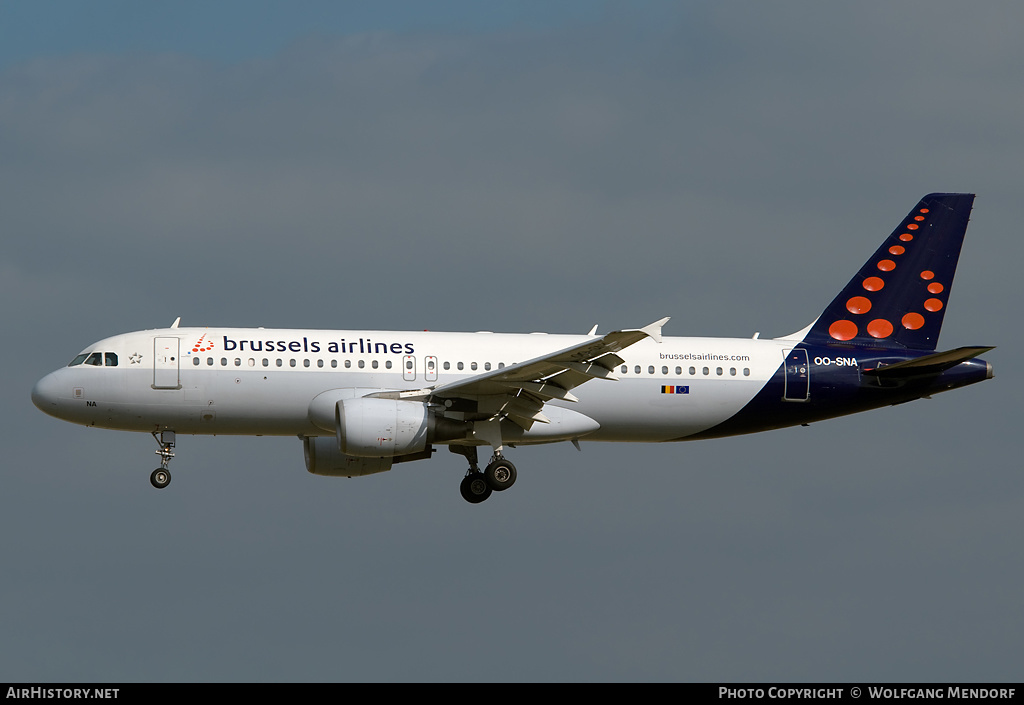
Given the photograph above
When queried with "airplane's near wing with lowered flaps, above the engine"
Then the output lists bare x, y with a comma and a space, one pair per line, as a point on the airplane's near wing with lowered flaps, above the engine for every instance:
520, 392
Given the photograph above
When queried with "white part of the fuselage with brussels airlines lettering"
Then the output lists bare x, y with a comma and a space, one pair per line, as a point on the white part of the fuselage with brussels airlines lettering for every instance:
263, 382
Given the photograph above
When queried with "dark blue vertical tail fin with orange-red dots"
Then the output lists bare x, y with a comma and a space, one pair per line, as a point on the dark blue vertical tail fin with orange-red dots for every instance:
899, 299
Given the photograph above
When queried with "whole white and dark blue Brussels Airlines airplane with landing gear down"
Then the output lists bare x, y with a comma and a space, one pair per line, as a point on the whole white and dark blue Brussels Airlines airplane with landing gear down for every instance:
362, 401
